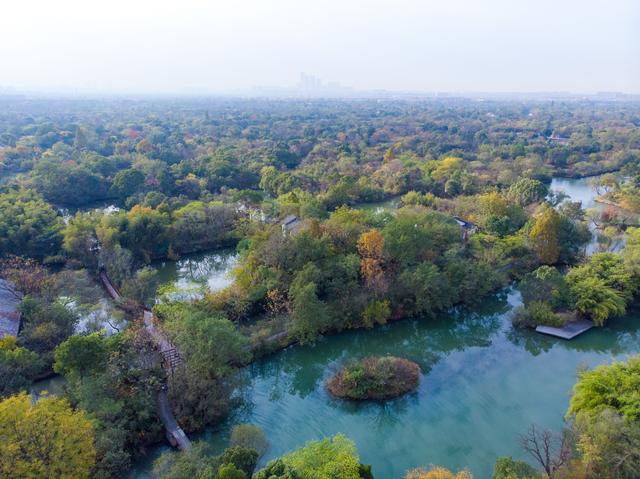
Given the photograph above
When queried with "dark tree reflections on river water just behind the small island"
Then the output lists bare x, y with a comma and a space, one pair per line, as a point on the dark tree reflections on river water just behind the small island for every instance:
300, 370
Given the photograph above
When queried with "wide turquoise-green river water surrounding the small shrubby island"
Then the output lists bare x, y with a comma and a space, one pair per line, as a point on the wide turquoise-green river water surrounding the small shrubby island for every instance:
483, 383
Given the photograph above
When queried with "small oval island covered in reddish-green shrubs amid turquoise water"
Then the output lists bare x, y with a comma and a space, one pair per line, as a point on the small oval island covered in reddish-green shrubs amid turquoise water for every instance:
375, 377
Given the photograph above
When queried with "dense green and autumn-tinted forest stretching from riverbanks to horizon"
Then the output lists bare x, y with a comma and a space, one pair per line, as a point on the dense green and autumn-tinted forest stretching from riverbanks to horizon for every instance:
100, 190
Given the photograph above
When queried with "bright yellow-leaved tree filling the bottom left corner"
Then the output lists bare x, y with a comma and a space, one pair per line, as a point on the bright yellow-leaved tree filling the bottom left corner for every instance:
44, 440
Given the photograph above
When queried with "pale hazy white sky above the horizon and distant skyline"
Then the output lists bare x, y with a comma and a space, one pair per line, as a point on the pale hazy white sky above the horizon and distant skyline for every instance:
197, 46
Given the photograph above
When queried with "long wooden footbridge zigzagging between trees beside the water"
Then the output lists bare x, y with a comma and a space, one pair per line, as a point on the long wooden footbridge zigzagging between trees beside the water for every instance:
170, 359
